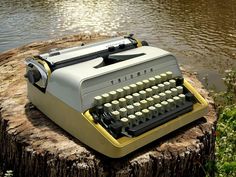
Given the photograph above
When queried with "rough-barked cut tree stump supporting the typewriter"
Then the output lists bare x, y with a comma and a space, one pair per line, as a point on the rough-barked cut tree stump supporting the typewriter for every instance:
32, 145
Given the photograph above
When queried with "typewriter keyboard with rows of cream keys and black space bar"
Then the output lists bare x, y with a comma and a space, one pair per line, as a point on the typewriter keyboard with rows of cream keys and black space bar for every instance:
142, 106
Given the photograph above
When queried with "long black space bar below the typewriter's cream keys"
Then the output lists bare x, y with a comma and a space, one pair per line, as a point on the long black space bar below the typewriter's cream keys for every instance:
160, 119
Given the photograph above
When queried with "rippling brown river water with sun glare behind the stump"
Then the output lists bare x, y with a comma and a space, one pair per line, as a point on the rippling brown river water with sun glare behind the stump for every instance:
200, 33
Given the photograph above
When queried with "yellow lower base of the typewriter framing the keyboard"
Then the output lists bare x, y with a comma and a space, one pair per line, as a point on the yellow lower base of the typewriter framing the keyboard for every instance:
96, 136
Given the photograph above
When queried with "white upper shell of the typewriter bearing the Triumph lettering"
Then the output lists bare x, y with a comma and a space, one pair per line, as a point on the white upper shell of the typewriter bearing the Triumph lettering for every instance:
78, 84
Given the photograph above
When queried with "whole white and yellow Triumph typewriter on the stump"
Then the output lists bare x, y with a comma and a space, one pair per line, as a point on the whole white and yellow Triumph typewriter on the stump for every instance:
115, 96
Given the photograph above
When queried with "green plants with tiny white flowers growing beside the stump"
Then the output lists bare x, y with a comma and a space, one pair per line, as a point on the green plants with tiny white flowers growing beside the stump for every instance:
225, 102
